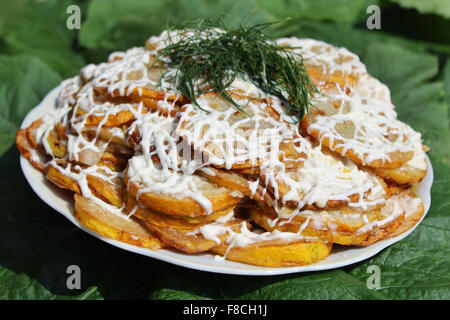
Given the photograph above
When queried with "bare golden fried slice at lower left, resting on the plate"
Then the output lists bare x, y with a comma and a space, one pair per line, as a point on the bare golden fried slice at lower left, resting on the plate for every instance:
110, 225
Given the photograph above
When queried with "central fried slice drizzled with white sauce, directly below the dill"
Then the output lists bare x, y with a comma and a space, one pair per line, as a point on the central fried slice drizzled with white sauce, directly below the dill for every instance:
232, 139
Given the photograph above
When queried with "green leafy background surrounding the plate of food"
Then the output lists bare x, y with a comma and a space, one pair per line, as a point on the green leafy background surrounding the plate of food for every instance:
410, 54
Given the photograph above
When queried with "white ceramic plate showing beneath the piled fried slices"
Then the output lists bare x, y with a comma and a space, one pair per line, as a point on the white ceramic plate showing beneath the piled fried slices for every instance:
340, 256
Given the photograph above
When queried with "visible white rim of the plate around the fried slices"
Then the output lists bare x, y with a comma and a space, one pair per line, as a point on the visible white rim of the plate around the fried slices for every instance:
42, 187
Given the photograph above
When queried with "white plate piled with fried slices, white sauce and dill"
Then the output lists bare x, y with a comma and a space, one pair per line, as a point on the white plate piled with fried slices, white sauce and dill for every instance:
225, 151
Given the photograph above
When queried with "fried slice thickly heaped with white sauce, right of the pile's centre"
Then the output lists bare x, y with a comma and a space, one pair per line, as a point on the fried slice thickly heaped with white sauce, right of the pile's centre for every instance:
325, 181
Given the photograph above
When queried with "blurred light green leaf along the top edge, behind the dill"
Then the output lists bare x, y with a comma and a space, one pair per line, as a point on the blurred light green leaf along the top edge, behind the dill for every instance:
120, 24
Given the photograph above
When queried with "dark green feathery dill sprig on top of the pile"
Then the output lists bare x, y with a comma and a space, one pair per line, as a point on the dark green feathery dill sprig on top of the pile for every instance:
208, 56
